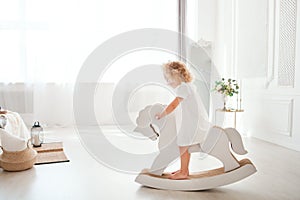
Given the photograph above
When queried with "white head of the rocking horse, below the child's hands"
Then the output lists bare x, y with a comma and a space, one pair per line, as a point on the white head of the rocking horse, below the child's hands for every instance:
146, 122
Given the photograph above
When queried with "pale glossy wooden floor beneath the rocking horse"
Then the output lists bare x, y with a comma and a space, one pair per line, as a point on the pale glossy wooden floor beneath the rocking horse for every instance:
278, 176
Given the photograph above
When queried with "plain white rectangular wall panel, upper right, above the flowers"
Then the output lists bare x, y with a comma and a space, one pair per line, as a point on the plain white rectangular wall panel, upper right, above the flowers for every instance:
251, 38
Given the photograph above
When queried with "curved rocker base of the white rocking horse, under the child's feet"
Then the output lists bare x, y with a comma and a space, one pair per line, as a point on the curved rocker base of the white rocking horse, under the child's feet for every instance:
198, 181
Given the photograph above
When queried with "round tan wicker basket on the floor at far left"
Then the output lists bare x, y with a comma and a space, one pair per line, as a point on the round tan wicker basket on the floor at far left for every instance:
18, 160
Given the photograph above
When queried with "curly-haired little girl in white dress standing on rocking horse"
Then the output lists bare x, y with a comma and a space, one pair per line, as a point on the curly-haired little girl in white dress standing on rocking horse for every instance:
192, 120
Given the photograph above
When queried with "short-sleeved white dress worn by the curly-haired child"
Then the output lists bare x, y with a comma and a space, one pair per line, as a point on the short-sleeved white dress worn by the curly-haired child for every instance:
192, 121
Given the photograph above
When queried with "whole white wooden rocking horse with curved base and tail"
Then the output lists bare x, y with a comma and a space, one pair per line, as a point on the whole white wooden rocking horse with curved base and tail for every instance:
216, 144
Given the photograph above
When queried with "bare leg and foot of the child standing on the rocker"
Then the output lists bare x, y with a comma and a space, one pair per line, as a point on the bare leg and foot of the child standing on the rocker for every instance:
183, 173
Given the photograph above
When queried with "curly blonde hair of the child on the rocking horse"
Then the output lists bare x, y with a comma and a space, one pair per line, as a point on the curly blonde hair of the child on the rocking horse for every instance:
179, 69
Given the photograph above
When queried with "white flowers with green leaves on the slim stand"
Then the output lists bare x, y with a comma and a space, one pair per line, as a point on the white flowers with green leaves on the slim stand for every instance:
227, 88
